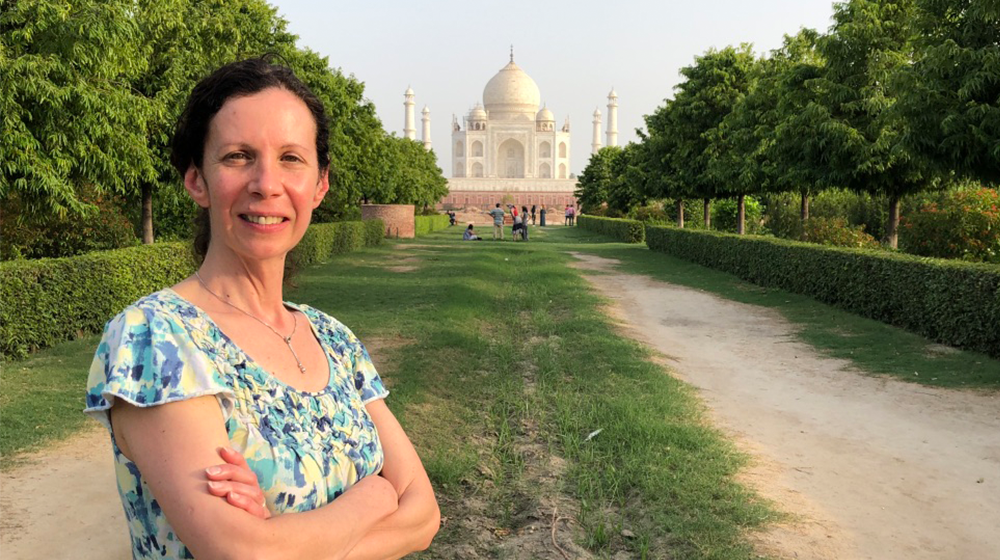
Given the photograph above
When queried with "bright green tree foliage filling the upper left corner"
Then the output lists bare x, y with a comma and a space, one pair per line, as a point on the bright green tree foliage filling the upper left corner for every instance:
70, 120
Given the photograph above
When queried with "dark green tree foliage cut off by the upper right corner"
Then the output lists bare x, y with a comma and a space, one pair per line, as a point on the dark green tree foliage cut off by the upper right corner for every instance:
950, 96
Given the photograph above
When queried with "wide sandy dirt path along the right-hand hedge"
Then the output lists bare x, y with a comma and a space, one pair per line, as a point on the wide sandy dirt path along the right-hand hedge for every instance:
874, 468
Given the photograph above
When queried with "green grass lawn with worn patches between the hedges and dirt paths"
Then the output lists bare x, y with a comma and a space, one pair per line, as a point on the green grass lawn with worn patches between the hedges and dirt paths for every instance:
501, 365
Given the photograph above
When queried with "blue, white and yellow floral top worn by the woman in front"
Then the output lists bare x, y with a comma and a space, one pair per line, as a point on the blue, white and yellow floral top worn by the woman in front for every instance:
306, 448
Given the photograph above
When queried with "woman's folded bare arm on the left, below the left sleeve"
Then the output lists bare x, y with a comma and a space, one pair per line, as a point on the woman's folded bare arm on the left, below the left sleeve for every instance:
173, 444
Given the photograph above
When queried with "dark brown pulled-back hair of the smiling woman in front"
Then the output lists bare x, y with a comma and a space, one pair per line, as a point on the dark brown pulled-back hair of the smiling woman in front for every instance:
236, 79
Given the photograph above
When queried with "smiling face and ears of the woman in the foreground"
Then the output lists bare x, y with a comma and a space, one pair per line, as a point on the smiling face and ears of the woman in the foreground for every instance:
259, 176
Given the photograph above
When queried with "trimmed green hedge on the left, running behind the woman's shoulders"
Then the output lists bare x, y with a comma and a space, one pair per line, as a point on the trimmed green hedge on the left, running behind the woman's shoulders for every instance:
47, 301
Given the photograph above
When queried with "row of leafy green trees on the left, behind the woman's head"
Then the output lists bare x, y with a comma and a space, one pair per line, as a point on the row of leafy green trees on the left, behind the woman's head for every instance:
90, 91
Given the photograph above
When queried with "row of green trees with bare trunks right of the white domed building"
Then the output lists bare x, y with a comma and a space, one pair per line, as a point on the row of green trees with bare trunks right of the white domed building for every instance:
899, 97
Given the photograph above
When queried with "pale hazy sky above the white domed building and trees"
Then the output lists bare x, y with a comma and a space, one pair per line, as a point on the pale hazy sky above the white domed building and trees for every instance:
576, 51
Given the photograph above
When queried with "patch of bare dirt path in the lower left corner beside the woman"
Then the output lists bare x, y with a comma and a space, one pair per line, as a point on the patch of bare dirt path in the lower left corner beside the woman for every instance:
63, 503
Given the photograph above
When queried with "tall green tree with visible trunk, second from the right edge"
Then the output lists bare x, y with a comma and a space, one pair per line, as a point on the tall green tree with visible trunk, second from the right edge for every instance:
871, 40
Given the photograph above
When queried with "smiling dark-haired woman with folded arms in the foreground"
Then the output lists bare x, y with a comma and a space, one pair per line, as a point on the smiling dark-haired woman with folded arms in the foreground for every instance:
218, 365
